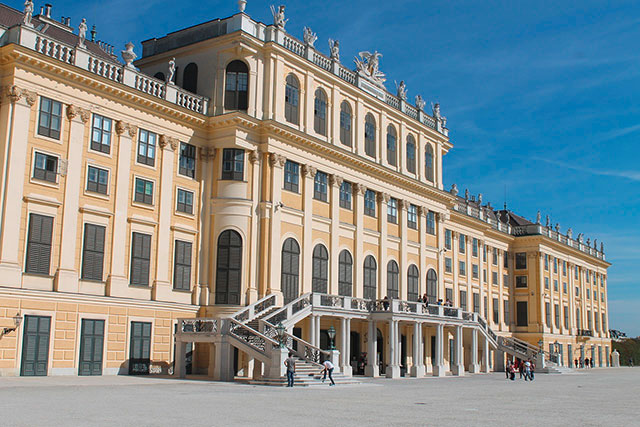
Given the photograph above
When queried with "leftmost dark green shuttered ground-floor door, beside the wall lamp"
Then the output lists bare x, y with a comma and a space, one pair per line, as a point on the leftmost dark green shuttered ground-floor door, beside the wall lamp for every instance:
35, 346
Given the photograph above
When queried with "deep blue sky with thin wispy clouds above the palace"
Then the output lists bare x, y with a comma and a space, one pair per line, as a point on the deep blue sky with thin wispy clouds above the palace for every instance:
541, 96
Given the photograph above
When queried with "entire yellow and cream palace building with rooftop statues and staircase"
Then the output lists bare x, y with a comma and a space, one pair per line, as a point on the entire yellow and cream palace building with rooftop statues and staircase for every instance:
238, 191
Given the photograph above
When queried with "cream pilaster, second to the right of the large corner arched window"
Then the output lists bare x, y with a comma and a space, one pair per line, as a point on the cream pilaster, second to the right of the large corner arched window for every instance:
276, 161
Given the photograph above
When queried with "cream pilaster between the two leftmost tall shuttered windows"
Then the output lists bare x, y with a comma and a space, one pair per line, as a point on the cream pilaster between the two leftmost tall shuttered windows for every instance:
66, 279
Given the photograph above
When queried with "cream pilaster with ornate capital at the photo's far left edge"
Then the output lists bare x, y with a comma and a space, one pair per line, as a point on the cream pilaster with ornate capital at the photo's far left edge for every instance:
16, 106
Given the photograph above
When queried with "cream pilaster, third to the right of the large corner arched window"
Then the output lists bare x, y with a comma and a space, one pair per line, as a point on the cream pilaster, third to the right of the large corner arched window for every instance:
308, 174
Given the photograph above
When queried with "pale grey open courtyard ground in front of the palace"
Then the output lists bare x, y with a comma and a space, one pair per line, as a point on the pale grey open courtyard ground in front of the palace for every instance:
597, 397
